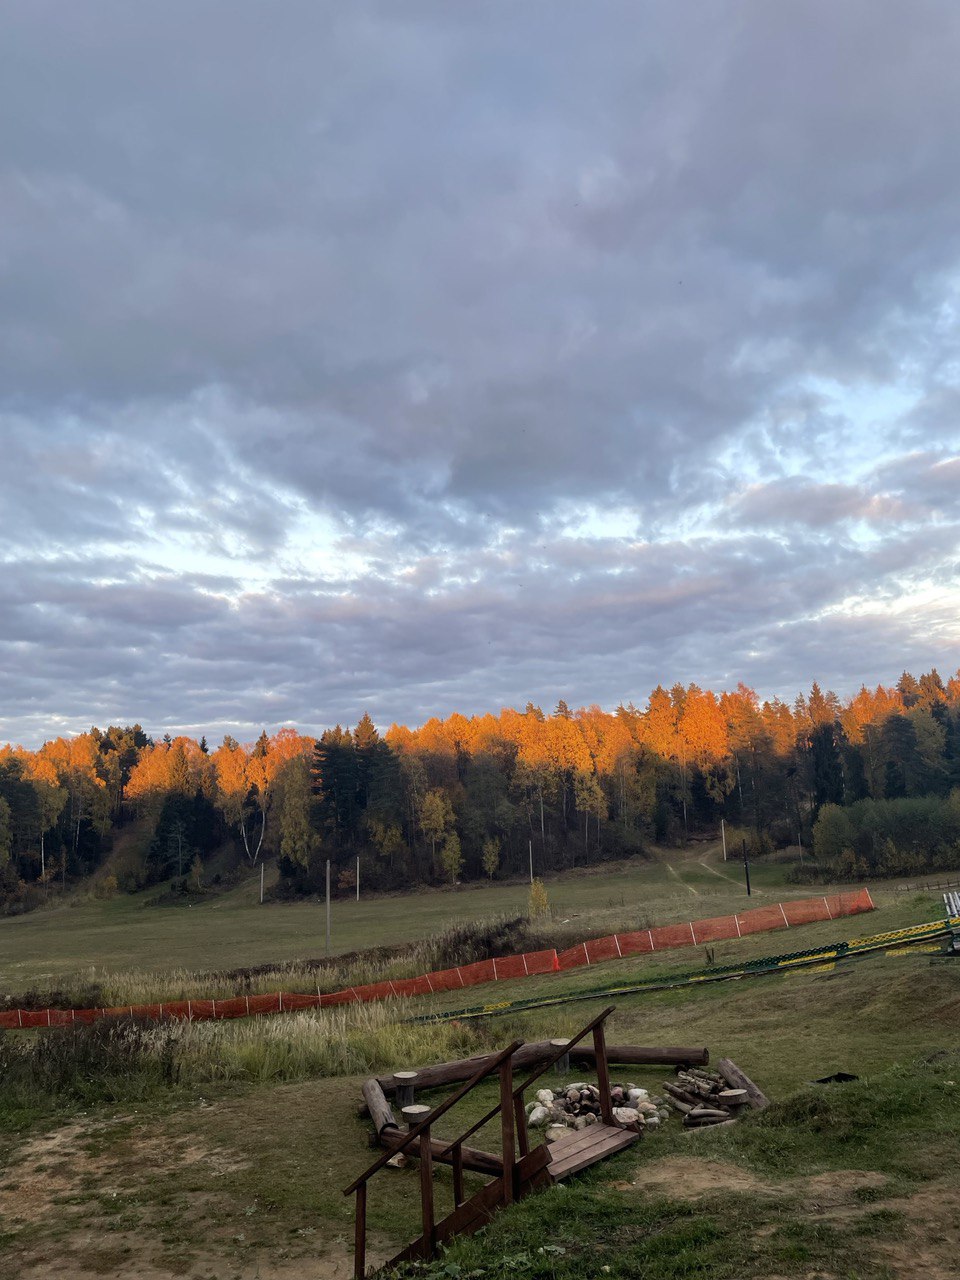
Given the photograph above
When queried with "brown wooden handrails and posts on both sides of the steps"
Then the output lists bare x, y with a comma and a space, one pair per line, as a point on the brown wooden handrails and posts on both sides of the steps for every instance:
514, 1132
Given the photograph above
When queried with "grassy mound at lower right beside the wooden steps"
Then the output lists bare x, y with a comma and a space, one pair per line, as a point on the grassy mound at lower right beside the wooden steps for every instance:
900, 1122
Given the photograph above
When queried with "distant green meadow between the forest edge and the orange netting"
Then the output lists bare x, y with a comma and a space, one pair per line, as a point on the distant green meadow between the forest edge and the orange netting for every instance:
234, 930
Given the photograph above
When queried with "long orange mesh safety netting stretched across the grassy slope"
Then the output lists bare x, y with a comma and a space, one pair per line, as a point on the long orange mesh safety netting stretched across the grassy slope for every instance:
595, 952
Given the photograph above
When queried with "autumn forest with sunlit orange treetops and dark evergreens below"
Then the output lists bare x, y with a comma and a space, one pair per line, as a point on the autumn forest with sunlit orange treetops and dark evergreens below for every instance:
870, 787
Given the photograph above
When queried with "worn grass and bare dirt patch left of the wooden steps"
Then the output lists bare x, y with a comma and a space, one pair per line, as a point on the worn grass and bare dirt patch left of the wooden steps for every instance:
218, 1191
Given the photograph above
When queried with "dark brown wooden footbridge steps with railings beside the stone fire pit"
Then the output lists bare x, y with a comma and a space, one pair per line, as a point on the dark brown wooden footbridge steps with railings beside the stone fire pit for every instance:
518, 1172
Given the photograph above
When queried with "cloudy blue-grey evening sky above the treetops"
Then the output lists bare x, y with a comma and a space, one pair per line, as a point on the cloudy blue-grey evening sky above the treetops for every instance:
415, 358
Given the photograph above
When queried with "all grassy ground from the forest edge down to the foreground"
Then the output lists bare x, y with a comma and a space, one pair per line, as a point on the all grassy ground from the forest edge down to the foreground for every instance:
218, 1151
